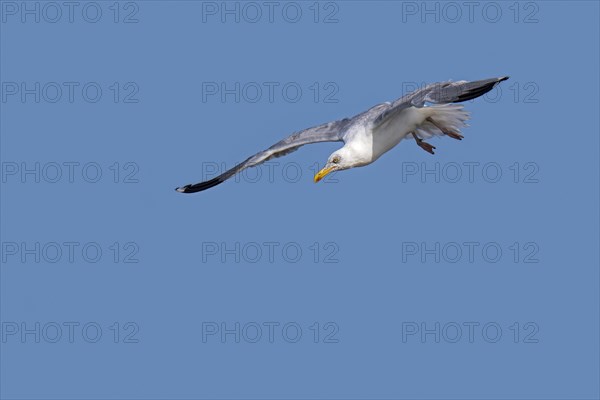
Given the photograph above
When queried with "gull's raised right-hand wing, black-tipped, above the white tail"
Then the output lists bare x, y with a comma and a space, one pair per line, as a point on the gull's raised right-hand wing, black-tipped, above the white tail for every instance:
439, 93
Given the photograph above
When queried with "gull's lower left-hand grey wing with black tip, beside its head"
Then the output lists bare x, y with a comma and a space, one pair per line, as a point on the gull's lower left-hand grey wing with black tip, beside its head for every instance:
329, 132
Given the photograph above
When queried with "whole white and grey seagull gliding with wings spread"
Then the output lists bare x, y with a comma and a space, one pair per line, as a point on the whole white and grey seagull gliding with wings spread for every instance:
370, 134
